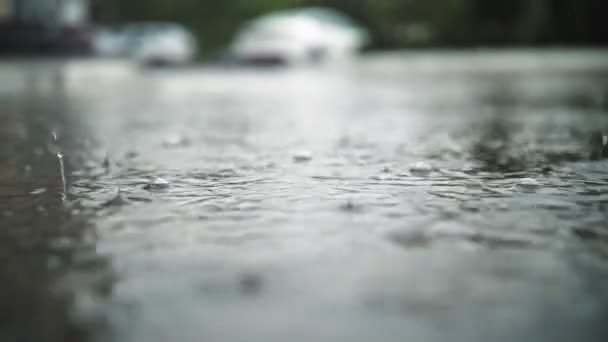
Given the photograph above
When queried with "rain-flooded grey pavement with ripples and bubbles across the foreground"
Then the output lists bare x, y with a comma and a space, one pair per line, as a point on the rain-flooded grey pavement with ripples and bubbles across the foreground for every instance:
421, 196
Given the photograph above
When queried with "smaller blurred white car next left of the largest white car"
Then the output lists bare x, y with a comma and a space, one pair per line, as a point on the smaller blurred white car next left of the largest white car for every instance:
159, 43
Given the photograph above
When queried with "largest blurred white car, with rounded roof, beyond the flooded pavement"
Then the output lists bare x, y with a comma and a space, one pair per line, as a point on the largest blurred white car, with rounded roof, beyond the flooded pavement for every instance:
301, 36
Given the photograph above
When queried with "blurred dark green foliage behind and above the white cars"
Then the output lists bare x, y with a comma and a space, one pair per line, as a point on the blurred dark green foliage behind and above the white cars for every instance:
393, 24
